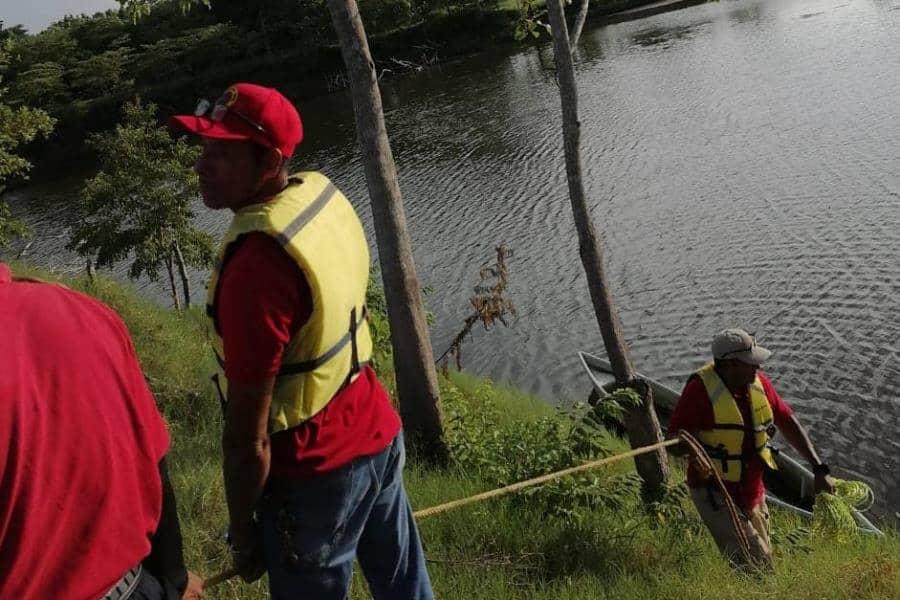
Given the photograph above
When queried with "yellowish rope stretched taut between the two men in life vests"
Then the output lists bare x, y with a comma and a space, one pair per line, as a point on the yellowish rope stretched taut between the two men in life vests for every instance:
683, 437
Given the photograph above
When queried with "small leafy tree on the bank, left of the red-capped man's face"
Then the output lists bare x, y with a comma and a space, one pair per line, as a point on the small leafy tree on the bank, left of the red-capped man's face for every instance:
138, 205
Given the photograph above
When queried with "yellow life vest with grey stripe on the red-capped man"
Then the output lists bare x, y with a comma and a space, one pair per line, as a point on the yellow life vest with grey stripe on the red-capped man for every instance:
318, 227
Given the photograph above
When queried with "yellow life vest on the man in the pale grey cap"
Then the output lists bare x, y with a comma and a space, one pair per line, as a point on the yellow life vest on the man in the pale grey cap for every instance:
725, 441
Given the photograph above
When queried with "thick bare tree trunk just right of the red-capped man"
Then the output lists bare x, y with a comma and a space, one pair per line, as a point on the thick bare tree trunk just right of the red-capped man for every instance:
417, 386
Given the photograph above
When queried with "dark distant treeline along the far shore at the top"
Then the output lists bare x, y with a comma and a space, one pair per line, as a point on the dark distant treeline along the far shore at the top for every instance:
81, 69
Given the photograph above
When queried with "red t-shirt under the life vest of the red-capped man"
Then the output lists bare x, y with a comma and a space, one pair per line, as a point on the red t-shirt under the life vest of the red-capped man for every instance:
263, 300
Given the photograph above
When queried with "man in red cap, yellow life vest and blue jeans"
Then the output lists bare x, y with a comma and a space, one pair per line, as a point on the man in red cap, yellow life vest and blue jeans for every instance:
313, 448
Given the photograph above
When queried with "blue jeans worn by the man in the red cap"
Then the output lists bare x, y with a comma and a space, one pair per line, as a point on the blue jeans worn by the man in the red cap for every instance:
313, 529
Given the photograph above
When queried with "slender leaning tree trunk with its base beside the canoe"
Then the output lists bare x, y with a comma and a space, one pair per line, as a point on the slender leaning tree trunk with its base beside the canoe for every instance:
641, 422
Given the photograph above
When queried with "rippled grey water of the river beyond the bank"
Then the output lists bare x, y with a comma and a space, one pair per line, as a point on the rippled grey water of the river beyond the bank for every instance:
741, 159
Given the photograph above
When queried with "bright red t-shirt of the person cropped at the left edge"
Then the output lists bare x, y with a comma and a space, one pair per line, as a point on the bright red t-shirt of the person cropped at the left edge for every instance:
80, 444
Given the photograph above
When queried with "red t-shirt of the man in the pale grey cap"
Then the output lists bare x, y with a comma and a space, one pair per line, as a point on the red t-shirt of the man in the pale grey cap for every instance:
694, 413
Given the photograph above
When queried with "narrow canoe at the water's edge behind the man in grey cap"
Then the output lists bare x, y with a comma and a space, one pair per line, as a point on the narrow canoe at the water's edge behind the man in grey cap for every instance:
790, 487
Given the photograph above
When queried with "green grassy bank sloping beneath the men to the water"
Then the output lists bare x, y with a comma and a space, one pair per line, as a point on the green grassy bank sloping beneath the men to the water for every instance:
589, 537
